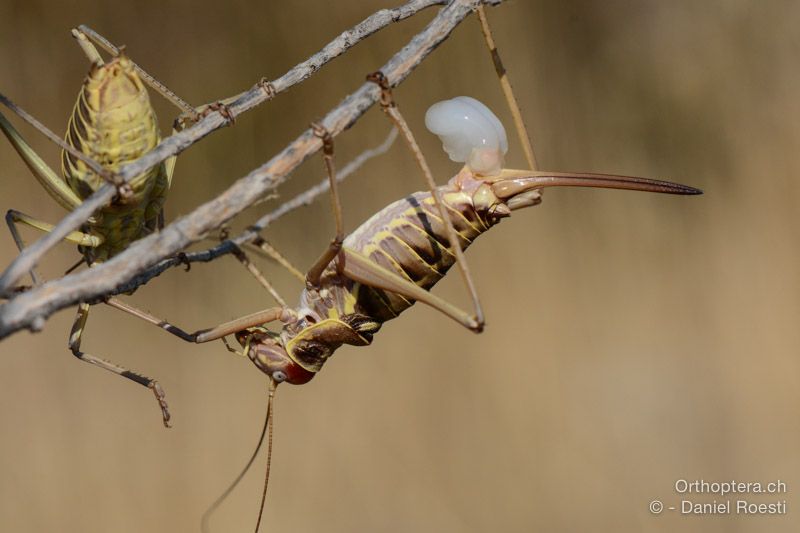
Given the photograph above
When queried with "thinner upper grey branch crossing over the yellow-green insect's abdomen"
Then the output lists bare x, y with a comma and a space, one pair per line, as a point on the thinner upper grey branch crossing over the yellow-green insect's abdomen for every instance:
177, 143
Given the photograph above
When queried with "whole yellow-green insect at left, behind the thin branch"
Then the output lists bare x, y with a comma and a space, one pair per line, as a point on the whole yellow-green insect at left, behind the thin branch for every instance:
112, 124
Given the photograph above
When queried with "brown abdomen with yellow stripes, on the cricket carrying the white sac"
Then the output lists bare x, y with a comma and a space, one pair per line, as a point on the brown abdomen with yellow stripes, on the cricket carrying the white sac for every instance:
409, 238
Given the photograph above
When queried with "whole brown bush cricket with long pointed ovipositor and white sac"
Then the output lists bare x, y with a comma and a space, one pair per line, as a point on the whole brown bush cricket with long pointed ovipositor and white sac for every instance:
394, 258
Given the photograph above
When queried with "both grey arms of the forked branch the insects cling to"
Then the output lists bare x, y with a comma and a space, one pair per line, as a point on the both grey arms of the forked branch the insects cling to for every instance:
30, 309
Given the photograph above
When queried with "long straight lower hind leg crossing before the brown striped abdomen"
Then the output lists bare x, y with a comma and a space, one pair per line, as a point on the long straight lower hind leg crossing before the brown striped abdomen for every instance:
390, 108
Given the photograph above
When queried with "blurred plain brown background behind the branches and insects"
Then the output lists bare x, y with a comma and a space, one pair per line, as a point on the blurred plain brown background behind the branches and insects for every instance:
632, 339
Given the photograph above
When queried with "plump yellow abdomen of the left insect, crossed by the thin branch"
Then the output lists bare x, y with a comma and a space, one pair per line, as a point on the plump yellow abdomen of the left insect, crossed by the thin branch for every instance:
114, 124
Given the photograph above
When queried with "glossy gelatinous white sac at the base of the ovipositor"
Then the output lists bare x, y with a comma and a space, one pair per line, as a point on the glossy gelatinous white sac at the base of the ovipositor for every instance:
470, 133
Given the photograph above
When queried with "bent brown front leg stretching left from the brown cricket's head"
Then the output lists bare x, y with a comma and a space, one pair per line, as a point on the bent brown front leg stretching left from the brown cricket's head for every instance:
209, 334
